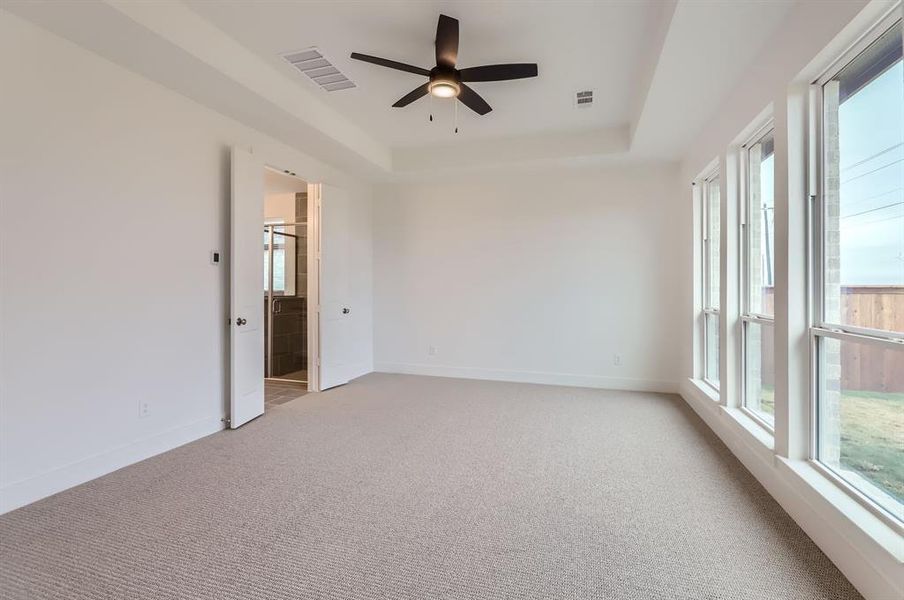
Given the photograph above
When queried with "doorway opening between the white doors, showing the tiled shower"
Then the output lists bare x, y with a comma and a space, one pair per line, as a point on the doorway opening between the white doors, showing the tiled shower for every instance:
285, 287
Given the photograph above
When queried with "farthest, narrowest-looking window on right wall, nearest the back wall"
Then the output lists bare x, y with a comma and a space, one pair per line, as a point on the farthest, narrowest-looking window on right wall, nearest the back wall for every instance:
711, 255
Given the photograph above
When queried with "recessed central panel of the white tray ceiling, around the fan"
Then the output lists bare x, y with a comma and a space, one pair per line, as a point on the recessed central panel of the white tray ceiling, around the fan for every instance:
577, 44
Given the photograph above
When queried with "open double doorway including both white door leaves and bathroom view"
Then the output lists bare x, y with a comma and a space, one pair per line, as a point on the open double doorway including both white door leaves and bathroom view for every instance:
319, 241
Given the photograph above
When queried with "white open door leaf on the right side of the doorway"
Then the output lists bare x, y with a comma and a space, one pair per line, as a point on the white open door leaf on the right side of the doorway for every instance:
336, 311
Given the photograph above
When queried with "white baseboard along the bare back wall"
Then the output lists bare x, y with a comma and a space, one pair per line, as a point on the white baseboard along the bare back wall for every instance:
567, 379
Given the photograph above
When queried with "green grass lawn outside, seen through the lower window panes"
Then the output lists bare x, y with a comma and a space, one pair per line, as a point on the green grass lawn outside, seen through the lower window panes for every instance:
872, 436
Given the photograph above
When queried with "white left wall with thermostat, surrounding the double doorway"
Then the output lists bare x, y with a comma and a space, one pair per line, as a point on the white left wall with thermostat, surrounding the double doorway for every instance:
114, 191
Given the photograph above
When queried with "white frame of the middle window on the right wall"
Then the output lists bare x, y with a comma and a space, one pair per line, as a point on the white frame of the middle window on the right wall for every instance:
746, 316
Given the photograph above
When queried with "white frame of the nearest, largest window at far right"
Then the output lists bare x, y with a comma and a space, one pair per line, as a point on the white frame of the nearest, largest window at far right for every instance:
818, 328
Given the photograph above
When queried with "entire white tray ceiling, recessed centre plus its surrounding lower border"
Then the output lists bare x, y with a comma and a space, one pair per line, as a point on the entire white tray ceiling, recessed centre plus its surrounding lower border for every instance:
660, 69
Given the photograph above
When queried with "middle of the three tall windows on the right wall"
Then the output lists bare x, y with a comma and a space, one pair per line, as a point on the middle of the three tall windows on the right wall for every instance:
758, 268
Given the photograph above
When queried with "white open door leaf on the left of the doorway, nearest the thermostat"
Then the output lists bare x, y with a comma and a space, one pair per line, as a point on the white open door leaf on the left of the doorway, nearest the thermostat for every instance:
246, 277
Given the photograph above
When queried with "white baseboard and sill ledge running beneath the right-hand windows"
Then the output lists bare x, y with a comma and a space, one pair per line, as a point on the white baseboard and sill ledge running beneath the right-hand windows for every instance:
863, 550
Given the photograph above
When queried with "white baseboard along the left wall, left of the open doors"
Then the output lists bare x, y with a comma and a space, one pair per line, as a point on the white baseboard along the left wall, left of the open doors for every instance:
26, 491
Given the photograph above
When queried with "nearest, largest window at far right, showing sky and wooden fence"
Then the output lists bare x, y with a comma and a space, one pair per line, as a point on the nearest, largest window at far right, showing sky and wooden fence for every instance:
858, 329
